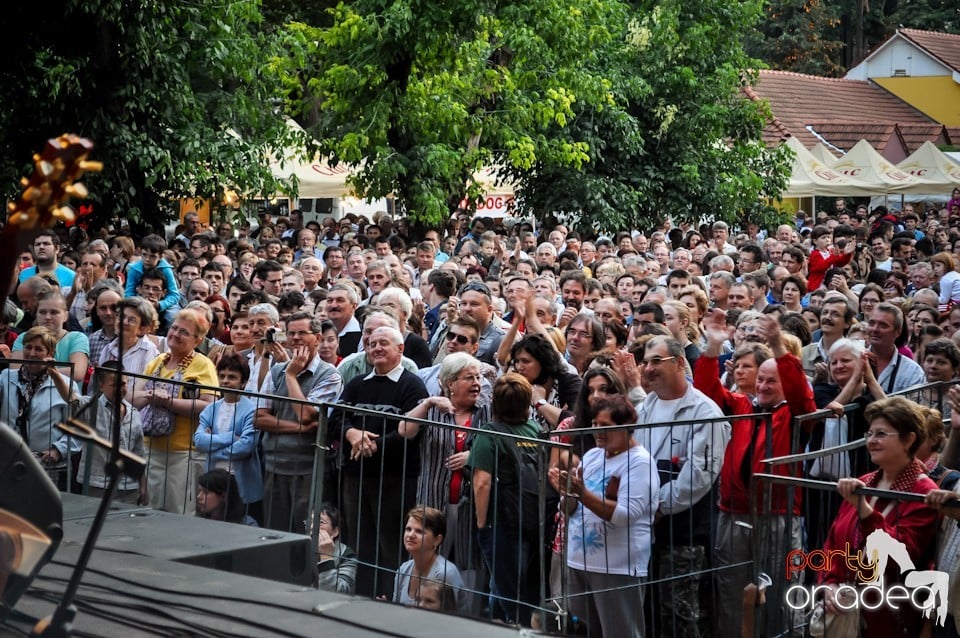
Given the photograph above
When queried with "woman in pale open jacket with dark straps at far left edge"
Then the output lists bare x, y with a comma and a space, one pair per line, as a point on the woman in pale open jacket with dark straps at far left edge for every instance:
33, 399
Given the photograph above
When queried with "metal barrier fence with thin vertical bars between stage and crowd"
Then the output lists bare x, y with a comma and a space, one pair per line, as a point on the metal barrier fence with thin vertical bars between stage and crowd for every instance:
290, 457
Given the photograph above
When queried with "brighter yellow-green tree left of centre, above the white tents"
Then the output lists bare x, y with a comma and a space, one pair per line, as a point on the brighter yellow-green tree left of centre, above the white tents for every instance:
418, 96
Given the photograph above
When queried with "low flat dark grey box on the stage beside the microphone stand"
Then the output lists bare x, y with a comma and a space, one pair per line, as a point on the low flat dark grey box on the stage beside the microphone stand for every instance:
239, 549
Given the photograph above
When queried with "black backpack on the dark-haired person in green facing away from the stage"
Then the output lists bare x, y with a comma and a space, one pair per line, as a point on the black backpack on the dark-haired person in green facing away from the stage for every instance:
518, 492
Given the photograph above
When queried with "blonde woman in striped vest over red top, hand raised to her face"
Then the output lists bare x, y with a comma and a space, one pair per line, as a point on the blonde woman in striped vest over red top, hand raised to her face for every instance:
443, 481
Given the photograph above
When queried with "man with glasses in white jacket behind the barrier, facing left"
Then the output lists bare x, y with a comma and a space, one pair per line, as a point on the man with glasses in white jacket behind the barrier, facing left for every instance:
688, 458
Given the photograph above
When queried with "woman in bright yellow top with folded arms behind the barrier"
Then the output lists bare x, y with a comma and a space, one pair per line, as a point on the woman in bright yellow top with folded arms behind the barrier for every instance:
173, 465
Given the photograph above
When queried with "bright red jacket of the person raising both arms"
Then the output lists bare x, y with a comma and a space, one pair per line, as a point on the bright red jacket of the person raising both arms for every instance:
749, 436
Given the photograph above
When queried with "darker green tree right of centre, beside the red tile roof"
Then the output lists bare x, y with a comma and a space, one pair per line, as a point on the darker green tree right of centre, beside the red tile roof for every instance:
686, 145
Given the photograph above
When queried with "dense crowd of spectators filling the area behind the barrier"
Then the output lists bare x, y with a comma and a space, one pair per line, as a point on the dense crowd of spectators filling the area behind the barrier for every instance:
456, 359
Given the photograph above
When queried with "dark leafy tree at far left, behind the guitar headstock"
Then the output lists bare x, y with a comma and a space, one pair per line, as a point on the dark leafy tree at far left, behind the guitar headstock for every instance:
172, 93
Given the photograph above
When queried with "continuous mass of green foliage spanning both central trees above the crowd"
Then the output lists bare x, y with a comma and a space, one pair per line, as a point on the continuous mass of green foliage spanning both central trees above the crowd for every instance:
613, 111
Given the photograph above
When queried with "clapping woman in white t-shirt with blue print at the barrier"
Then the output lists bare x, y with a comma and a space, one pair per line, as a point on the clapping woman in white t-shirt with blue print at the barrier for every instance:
611, 500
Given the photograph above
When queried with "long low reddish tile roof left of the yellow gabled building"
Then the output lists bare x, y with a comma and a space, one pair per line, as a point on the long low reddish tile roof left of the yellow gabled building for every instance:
837, 111
